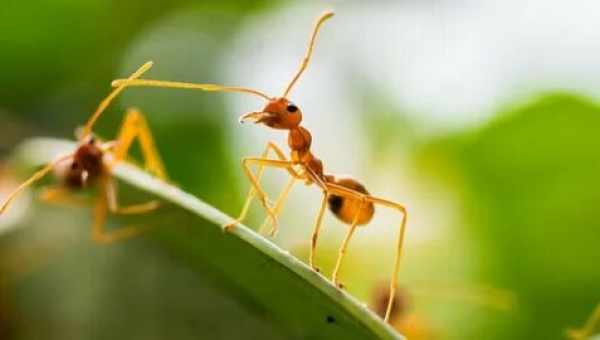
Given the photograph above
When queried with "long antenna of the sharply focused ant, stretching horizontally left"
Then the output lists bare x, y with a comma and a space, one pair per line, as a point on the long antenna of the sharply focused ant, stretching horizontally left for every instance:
120, 83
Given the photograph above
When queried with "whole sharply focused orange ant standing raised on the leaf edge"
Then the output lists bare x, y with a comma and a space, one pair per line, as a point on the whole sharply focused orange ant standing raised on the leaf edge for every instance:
346, 198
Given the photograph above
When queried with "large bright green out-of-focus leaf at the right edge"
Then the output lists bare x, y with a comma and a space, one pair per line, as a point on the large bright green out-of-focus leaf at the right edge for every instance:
531, 187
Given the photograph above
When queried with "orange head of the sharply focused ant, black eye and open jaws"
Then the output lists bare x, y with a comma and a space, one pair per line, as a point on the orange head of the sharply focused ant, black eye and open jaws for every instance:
279, 113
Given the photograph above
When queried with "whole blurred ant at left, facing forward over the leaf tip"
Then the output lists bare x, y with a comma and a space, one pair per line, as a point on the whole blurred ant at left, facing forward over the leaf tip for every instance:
91, 165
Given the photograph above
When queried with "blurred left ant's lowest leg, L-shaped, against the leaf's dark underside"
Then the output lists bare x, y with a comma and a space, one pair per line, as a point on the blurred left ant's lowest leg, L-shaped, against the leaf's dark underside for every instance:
99, 232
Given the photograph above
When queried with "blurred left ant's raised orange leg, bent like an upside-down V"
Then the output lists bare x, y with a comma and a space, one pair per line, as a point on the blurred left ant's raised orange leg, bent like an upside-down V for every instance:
135, 126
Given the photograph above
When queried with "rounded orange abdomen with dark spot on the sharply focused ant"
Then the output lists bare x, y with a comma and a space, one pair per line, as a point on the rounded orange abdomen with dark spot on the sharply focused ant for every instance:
346, 208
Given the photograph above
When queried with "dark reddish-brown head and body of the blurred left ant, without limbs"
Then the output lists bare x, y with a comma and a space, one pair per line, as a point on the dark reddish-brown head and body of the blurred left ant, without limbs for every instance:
83, 168
